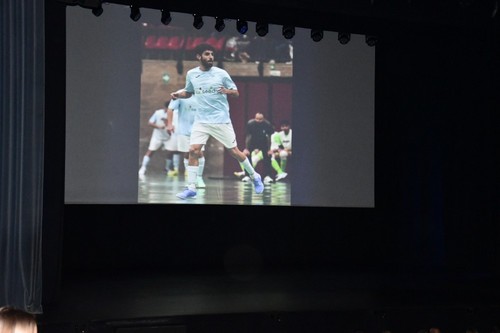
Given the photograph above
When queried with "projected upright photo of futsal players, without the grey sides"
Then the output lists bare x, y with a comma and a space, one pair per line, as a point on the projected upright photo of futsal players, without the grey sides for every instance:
242, 108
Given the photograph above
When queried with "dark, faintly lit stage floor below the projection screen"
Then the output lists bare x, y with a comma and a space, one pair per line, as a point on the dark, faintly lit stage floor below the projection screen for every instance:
286, 301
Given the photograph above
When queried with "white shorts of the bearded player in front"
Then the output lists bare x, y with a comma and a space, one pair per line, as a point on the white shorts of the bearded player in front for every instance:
224, 133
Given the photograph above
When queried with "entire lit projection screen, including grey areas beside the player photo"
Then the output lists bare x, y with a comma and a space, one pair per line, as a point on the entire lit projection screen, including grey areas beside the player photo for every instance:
127, 137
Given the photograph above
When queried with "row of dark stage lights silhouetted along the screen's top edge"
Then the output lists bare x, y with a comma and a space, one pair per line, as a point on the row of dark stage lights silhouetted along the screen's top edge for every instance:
261, 28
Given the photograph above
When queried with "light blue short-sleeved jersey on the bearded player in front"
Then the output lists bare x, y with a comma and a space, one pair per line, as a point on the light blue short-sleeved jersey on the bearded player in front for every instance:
213, 106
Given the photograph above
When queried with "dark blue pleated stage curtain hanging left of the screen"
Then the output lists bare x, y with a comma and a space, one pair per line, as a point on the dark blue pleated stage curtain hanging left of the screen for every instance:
22, 103
